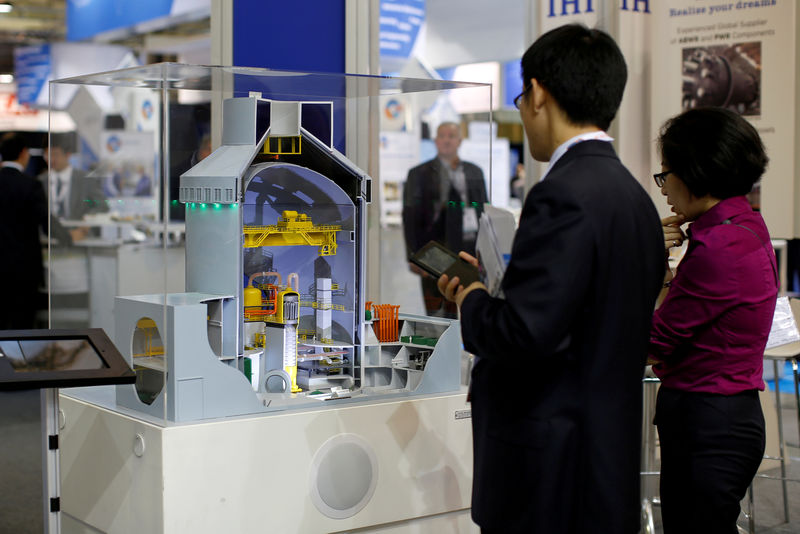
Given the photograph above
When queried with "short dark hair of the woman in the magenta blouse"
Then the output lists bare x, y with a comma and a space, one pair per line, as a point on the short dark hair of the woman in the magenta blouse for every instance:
714, 151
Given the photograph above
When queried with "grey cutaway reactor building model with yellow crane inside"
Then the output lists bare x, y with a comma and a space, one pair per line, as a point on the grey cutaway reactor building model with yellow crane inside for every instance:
274, 315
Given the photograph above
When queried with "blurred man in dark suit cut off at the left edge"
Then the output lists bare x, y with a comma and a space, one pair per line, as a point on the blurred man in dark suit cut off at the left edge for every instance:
23, 212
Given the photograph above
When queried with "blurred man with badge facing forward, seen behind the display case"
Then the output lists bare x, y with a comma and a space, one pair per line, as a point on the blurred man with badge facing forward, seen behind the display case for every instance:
442, 200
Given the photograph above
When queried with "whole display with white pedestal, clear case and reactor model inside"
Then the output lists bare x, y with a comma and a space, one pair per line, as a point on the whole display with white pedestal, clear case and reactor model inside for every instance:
246, 317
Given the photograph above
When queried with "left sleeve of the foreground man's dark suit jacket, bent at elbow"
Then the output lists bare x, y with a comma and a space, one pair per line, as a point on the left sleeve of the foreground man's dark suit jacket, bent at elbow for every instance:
548, 275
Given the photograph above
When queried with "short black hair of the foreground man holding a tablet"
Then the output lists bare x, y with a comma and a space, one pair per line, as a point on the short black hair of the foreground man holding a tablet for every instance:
582, 69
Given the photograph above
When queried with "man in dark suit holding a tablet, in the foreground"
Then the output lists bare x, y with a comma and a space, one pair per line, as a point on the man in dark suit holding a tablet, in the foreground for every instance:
556, 391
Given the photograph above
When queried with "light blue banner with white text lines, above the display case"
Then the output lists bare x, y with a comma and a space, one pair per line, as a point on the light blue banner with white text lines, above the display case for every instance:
400, 21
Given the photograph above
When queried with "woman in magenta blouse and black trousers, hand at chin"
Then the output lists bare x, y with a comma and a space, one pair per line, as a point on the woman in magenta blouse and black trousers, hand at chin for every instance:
709, 333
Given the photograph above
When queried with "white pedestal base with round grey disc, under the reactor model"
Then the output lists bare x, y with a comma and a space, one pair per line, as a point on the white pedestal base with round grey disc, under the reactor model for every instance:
255, 474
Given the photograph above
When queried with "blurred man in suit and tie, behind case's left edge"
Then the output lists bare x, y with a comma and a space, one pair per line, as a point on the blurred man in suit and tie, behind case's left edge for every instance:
73, 194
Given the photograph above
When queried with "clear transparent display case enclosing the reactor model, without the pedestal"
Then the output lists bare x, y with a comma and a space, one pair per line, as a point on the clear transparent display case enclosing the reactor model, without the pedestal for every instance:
223, 236
